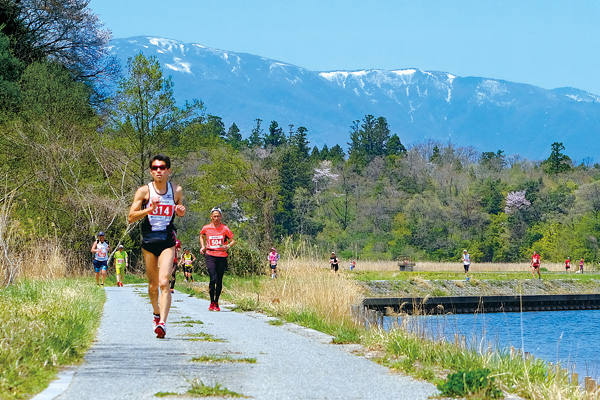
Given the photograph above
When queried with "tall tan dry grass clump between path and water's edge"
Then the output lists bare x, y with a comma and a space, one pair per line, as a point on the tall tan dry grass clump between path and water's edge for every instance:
304, 285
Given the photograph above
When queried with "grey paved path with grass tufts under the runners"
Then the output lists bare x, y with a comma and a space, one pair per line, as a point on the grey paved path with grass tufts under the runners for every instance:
127, 361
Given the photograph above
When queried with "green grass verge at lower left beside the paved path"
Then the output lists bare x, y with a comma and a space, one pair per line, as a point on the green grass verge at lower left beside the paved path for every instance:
45, 324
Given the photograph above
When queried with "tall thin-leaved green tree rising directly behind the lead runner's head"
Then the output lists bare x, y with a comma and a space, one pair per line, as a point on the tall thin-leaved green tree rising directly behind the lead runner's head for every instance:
144, 111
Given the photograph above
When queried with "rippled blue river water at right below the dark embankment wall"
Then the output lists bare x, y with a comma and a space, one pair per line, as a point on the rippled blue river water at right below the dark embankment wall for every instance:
569, 337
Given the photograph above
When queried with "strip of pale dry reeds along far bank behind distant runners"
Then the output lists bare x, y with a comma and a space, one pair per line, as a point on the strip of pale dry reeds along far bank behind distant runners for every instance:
457, 266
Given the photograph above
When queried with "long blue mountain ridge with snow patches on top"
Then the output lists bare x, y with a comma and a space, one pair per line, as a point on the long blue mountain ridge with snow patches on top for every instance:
486, 113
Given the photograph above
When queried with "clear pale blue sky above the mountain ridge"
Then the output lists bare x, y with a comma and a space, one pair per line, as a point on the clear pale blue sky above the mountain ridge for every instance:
549, 43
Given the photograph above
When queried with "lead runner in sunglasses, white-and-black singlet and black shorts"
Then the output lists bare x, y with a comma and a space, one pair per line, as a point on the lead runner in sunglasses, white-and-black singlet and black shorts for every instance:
158, 203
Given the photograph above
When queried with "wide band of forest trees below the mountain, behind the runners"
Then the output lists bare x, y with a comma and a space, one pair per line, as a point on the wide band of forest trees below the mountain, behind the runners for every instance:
74, 151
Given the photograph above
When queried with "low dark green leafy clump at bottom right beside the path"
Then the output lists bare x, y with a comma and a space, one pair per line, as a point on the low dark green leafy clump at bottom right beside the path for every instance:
470, 383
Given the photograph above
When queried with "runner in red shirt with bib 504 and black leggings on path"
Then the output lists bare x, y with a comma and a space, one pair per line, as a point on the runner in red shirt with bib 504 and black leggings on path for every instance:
215, 239
